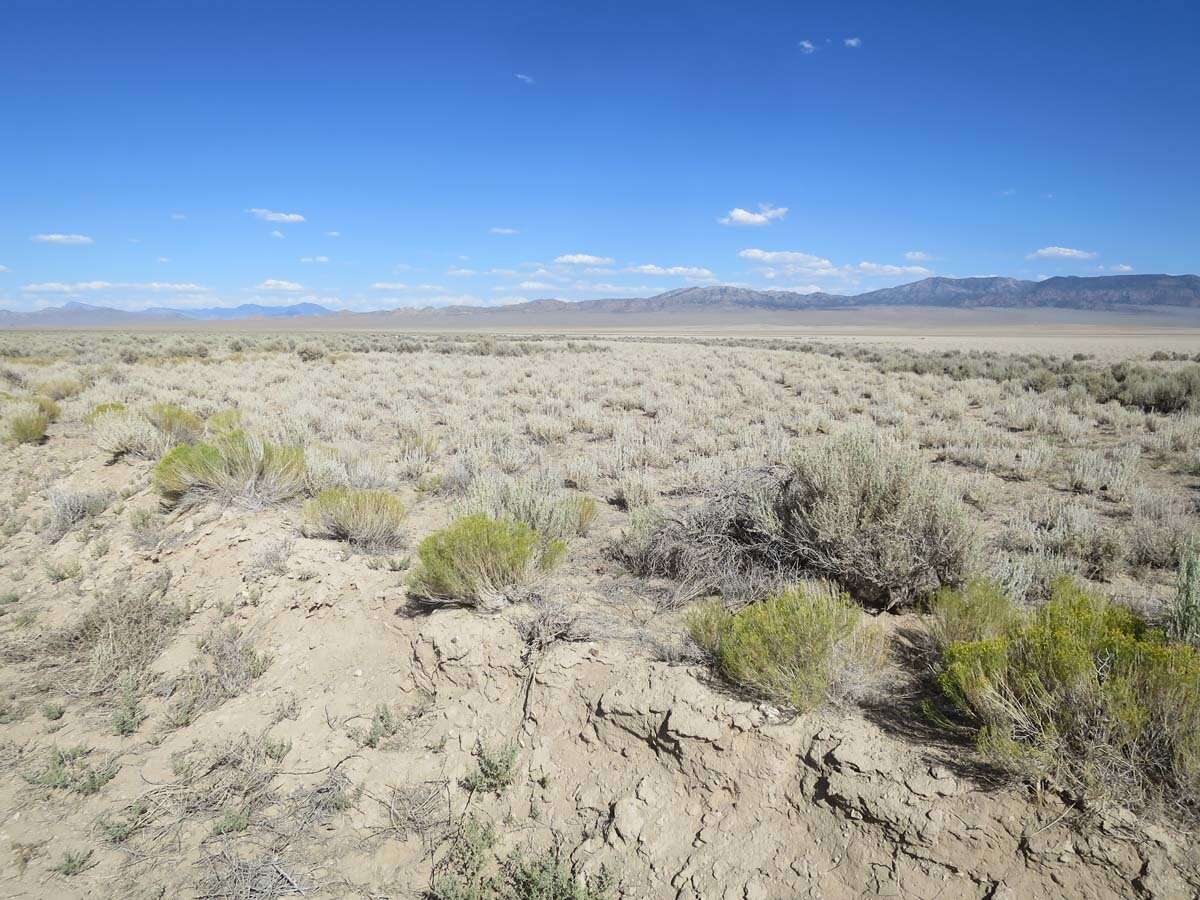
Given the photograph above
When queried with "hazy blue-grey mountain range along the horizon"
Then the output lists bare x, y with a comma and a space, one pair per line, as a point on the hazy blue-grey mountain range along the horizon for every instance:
1112, 292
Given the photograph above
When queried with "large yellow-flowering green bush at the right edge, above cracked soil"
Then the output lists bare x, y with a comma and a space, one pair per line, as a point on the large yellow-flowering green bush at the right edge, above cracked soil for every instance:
1079, 692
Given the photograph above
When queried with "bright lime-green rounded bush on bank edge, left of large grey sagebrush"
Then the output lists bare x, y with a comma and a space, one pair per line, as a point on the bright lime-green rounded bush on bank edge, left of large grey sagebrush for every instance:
479, 561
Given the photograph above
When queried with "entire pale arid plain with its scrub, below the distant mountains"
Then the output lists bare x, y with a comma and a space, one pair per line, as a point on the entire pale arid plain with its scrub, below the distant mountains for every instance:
249, 650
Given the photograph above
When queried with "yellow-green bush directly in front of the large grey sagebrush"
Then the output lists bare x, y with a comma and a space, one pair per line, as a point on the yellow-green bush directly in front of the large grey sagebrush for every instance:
799, 649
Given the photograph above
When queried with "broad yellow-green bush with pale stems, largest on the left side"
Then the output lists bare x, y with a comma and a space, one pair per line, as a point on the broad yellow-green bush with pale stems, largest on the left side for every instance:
236, 467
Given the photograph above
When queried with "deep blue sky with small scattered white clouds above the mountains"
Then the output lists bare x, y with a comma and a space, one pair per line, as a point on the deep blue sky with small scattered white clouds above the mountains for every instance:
376, 155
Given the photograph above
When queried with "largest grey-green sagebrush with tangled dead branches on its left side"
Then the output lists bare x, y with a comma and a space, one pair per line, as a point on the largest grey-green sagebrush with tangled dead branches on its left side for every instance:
862, 509
